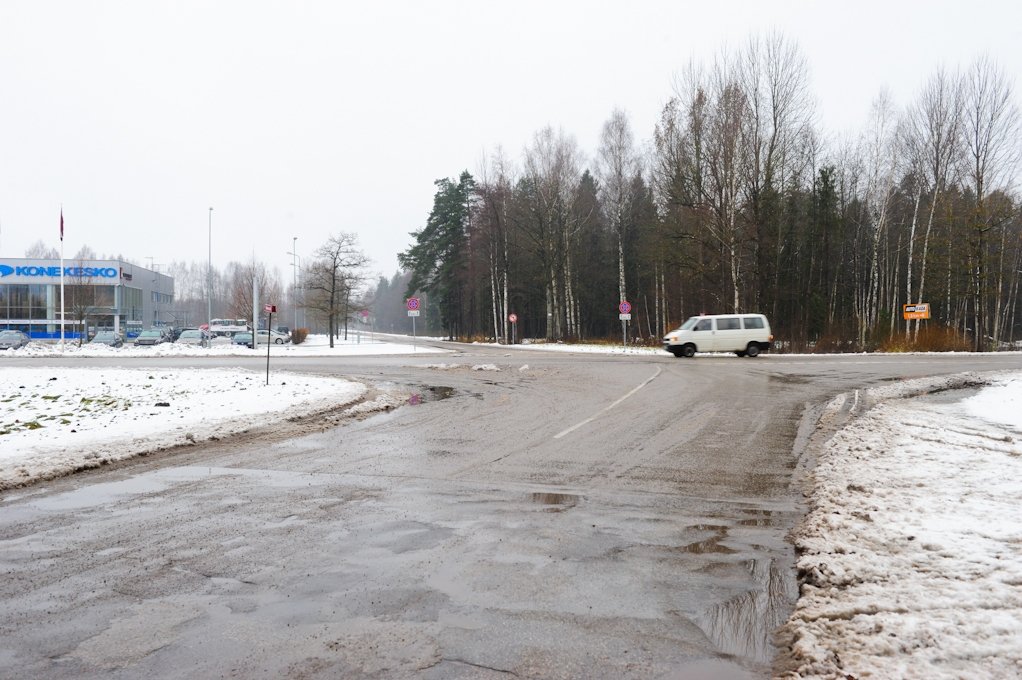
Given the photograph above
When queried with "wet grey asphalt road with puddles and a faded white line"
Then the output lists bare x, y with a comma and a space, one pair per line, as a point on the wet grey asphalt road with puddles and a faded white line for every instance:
592, 516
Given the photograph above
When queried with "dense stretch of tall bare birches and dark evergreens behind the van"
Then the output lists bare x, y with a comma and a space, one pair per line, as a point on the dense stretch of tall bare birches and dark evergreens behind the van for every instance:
738, 204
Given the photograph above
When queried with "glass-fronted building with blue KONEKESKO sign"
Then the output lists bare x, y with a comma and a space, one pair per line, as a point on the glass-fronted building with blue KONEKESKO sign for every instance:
99, 294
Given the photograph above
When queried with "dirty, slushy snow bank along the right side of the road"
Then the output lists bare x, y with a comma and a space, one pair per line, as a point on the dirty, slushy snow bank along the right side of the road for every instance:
911, 558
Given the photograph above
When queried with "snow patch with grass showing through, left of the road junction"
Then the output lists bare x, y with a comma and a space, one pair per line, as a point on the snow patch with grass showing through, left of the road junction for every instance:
54, 422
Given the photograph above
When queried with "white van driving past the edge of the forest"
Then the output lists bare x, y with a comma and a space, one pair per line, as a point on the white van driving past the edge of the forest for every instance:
746, 335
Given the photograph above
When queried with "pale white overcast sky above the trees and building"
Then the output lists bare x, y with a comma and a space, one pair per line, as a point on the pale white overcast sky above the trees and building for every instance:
307, 119
